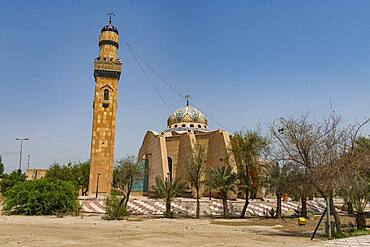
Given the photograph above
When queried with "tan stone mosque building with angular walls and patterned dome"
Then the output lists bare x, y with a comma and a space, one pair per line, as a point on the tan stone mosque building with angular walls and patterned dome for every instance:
167, 153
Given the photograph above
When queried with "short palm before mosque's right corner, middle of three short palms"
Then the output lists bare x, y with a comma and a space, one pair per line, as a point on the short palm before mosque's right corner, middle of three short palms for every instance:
222, 180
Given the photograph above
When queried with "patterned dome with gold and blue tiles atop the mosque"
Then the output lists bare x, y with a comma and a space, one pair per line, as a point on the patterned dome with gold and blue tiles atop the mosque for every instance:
186, 118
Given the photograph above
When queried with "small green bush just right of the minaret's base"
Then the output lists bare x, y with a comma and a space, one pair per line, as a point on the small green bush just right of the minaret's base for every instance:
114, 210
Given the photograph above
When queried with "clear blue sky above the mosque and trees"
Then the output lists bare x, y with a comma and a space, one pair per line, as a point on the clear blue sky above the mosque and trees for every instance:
243, 62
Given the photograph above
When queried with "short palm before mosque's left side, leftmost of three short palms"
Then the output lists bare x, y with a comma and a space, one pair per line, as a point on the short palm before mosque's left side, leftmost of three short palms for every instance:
168, 190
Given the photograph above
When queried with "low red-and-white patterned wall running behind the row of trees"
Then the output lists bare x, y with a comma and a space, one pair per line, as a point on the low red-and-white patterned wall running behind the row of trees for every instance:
213, 207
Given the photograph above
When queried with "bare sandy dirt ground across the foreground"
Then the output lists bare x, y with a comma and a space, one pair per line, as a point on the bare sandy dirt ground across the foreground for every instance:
139, 231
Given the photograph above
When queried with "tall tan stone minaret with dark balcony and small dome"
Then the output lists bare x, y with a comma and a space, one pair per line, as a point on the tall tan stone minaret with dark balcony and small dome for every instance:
107, 71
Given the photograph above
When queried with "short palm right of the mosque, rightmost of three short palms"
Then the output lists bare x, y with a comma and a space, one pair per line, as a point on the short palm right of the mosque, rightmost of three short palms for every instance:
277, 177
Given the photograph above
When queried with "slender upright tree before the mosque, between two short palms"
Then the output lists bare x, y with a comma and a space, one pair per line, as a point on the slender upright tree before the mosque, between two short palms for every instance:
195, 172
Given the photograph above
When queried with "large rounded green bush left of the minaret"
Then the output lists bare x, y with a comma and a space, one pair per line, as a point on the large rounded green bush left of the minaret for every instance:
41, 197
